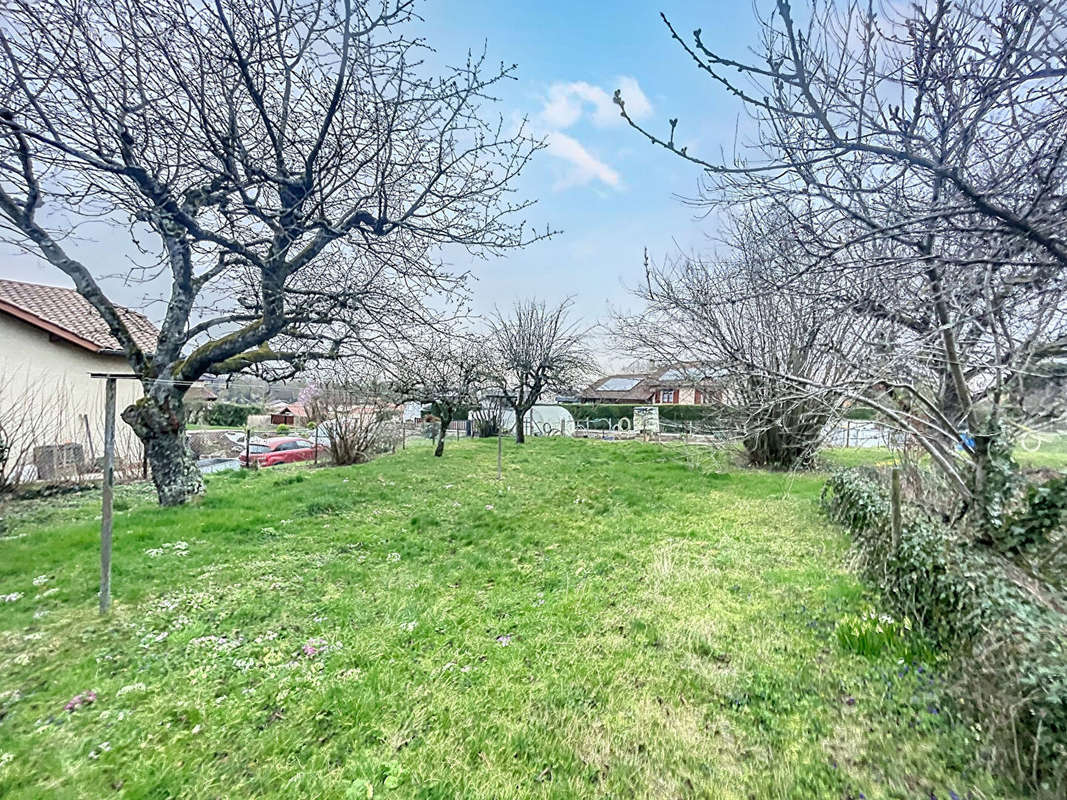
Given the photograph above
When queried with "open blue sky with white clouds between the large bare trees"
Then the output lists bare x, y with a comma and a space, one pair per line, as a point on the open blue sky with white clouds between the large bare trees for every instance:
612, 194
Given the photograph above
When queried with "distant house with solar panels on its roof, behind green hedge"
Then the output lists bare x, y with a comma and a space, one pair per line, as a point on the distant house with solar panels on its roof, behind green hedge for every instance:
680, 383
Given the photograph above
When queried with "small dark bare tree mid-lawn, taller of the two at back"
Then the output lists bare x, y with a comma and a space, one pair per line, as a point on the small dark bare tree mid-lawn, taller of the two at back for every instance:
537, 348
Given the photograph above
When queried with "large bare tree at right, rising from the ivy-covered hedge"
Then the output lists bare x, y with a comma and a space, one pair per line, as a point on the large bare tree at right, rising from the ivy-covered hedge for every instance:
919, 154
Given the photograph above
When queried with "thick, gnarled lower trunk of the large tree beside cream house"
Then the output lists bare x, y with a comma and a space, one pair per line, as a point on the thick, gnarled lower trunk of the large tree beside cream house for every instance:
160, 423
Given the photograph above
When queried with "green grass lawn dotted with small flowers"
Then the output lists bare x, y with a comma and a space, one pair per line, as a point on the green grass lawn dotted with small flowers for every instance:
612, 620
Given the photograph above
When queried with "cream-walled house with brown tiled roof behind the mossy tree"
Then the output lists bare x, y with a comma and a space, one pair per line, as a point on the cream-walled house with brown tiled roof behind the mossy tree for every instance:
52, 409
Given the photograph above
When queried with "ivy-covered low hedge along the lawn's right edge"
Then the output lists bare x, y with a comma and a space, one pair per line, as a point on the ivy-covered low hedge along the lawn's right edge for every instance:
1006, 631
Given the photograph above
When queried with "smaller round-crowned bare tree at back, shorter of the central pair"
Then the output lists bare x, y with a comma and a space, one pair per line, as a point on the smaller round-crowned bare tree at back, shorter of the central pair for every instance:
449, 372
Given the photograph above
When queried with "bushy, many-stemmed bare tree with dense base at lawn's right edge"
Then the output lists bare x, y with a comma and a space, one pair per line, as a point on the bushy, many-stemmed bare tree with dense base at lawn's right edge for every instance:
725, 318
